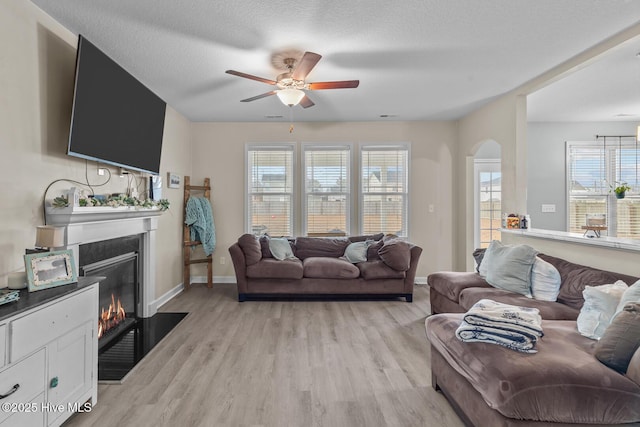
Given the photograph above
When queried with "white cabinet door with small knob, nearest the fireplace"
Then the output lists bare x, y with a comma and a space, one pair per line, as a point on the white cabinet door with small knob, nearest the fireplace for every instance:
70, 369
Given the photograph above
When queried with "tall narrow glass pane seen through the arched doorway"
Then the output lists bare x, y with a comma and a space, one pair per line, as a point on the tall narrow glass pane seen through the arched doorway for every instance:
488, 202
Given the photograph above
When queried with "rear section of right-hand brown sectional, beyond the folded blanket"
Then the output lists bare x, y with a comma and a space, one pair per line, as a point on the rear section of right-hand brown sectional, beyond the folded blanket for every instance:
457, 292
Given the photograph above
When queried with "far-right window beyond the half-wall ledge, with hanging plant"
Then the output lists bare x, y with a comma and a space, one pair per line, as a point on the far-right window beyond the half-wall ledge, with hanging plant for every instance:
593, 168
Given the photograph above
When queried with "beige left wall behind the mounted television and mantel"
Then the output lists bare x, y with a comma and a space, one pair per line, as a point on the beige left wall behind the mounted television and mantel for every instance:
36, 90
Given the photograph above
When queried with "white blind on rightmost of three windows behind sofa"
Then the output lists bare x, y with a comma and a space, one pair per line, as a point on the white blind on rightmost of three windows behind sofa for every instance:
384, 180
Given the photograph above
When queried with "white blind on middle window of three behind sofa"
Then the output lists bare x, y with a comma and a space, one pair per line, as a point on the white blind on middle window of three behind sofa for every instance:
327, 189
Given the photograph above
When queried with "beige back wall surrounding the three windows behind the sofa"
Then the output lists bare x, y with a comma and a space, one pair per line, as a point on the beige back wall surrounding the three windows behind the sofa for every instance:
218, 152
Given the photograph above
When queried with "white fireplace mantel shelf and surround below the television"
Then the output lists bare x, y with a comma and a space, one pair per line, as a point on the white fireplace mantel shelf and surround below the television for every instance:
93, 224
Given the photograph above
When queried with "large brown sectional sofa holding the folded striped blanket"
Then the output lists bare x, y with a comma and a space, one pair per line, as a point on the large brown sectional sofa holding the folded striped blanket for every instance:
563, 384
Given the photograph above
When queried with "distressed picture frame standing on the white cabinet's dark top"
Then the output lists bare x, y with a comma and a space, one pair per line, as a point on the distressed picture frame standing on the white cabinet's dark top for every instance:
49, 269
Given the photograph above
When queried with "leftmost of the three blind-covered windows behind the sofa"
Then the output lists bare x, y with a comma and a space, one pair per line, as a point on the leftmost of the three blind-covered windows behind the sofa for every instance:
270, 190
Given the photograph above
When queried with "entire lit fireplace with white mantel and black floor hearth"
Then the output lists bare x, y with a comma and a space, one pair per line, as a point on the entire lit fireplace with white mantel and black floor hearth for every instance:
119, 244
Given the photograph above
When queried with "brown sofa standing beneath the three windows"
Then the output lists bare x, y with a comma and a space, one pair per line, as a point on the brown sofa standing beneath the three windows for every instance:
318, 269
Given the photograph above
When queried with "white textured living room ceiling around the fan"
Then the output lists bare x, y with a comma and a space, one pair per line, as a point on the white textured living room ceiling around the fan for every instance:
415, 59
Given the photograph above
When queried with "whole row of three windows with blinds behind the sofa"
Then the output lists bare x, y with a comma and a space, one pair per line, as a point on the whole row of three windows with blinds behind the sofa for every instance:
340, 193
